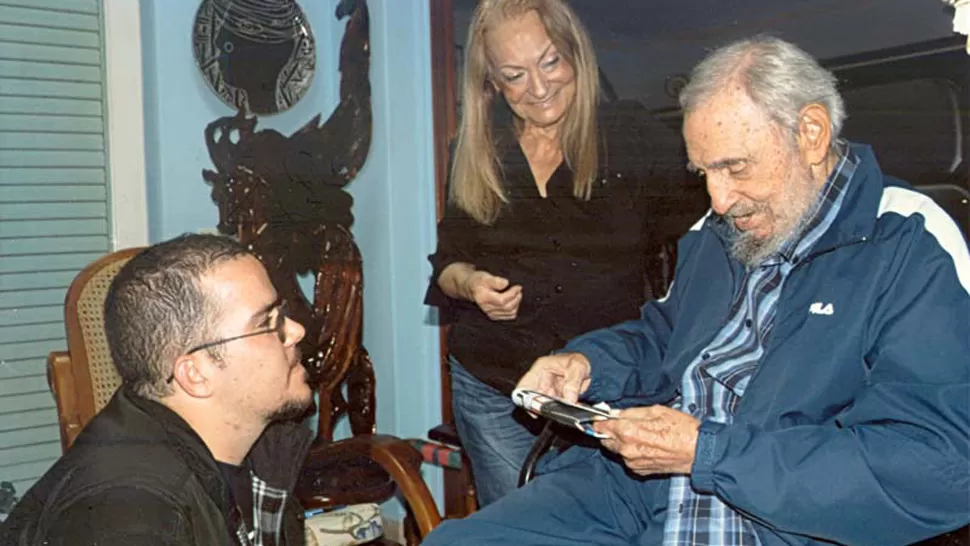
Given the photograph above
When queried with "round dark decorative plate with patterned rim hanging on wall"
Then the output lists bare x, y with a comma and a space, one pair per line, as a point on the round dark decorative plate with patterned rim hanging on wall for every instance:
258, 56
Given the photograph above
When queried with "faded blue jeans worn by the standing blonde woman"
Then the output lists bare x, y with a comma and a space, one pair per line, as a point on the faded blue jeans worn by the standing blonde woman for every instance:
493, 434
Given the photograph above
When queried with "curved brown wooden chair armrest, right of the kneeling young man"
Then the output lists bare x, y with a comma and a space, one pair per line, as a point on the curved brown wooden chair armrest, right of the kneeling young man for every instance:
397, 458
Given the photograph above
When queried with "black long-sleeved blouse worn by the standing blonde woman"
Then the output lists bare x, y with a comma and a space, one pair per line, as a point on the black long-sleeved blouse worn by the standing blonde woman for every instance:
581, 264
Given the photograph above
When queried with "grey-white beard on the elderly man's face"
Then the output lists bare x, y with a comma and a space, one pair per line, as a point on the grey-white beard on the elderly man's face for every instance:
791, 220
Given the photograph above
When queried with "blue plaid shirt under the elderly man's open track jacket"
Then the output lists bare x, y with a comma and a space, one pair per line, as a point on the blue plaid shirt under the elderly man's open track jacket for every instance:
714, 383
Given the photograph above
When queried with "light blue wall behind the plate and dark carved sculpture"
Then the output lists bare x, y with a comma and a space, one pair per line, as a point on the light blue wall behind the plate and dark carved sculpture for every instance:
394, 193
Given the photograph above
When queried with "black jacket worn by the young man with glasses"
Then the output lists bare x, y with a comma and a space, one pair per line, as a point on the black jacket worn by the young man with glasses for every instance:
138, 474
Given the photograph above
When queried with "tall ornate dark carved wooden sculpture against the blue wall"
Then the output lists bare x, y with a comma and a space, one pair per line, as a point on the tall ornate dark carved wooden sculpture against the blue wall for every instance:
284, 198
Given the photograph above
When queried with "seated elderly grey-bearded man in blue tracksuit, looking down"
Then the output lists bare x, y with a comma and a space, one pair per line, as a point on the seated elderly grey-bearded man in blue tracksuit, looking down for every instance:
805, 380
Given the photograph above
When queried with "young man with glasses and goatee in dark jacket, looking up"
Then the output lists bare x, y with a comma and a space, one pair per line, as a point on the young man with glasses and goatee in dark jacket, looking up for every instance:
197, 446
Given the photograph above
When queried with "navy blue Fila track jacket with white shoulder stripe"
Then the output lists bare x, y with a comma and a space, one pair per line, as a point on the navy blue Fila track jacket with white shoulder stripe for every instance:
855, 427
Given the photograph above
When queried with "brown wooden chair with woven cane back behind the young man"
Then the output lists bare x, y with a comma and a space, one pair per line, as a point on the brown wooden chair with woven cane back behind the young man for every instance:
83, 380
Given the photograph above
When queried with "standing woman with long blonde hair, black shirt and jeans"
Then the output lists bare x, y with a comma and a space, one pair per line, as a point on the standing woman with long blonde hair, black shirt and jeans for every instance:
544, 237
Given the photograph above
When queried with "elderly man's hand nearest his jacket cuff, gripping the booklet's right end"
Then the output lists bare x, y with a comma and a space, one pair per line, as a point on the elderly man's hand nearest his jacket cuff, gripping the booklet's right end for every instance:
652, 440
